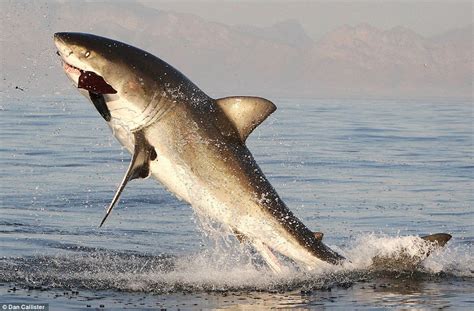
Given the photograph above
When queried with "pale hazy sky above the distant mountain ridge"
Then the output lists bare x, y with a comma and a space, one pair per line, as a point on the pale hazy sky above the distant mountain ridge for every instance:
318, 17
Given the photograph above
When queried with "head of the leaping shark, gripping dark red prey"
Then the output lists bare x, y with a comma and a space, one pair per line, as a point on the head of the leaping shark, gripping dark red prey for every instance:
121, 80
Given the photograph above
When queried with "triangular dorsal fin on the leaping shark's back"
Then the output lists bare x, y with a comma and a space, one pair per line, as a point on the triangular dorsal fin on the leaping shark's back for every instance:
245, 112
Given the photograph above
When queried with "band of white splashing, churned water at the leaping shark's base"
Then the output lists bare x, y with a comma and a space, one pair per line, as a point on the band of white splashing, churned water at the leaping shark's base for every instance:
226, 267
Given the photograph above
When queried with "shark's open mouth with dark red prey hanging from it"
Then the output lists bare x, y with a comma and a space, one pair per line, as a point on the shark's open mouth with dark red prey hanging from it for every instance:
96, 85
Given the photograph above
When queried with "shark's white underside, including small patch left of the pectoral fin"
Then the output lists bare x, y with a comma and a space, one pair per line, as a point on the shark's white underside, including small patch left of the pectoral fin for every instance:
236, 209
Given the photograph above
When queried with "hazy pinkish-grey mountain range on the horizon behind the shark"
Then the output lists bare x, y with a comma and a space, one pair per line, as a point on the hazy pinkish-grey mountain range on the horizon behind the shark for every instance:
281, 60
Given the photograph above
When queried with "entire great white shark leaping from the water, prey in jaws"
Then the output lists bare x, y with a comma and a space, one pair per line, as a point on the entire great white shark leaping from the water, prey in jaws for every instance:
193, 144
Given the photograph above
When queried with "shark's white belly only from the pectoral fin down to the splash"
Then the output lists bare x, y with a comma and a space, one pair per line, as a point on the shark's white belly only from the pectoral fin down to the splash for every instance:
235, 213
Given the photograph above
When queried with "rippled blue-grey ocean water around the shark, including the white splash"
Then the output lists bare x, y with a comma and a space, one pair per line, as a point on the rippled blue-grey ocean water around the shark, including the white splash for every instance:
370, 174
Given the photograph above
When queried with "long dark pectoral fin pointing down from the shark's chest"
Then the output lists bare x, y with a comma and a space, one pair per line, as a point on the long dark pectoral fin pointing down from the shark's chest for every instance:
139, 167
